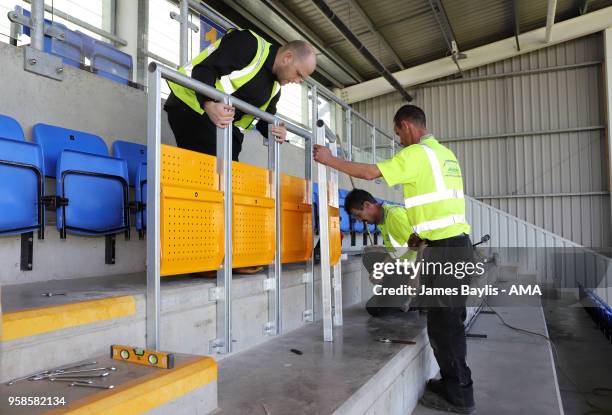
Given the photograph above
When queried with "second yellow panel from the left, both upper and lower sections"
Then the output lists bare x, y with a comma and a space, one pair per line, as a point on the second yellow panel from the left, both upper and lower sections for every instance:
253, 216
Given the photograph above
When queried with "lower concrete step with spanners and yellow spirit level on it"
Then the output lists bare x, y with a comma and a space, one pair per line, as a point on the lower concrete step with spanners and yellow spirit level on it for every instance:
188, 388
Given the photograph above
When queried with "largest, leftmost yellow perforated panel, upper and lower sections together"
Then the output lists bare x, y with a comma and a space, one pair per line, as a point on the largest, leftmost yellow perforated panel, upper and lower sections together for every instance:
191, 212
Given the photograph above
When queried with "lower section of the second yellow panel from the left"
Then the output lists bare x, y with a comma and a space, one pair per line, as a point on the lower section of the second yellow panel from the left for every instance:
253, 237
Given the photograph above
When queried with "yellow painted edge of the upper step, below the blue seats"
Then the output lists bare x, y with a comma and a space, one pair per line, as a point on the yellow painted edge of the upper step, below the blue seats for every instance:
40, 320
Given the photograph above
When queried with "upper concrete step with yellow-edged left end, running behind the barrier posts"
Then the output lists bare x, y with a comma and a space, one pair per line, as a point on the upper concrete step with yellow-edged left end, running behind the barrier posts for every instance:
41, 331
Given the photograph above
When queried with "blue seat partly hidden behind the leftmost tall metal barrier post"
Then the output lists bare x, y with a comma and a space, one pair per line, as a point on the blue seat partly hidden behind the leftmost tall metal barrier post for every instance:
136, 157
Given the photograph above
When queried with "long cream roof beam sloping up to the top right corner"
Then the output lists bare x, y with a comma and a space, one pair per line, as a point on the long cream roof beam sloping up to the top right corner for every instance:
565, 31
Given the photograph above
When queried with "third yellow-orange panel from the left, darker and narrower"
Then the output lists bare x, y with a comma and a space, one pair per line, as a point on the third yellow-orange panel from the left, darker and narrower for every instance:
296, 220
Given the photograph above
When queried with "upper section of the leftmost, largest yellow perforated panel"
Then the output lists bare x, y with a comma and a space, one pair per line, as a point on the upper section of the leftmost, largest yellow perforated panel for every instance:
184, 168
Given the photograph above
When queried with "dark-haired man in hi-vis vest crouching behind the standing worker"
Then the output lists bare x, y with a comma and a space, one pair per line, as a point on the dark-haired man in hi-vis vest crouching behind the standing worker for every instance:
392, 221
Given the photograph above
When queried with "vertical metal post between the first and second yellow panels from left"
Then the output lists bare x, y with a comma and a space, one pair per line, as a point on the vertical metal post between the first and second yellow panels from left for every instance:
223, 342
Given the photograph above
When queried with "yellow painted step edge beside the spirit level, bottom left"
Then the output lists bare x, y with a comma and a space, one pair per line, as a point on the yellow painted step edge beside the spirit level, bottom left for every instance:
141, 395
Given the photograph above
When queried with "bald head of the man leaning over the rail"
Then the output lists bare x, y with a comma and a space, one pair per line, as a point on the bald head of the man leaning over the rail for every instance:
294, 62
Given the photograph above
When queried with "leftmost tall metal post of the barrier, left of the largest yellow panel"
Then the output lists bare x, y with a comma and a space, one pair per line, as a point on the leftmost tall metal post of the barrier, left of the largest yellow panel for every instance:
153, 303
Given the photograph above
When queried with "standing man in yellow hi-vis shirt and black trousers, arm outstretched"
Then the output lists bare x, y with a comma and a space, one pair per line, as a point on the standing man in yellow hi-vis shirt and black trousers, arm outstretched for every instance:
433, 197
